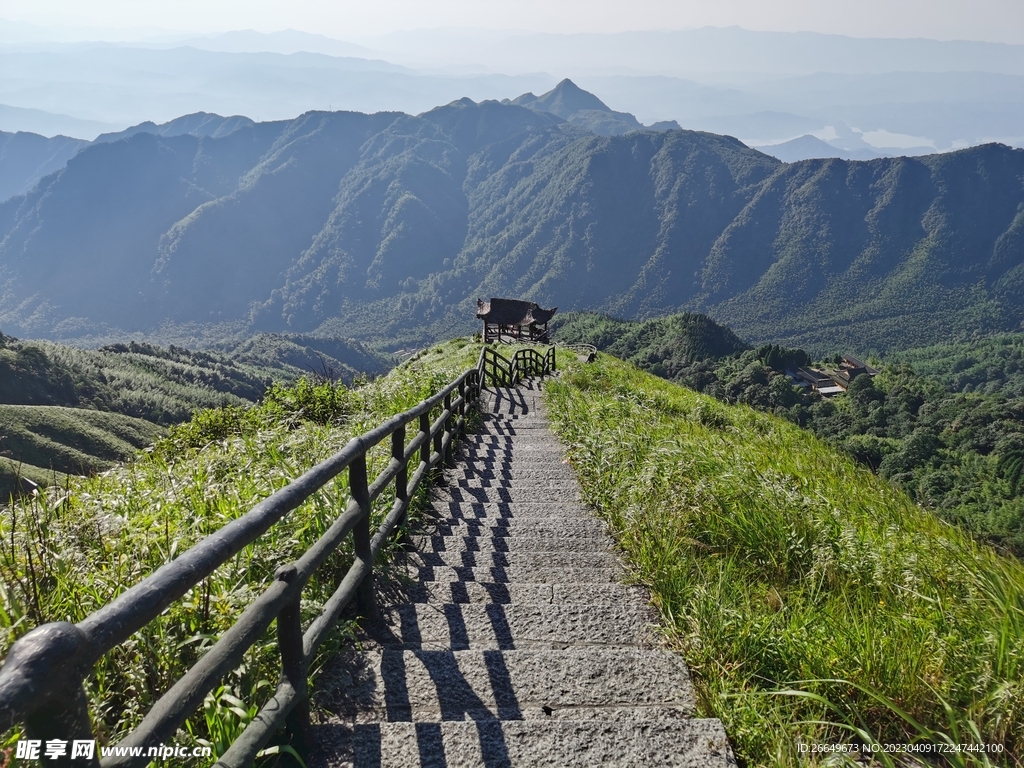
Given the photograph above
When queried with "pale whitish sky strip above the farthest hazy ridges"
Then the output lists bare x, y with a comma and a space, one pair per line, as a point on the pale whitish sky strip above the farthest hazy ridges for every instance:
995, 21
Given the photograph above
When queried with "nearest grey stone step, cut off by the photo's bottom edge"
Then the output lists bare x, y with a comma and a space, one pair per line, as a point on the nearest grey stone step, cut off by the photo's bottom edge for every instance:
556, 744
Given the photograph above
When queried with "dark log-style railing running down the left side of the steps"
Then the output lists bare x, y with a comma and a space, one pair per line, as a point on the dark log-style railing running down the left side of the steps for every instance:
42, 678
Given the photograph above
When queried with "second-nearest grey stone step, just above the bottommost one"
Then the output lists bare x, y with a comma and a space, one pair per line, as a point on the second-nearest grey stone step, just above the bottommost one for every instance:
388, 685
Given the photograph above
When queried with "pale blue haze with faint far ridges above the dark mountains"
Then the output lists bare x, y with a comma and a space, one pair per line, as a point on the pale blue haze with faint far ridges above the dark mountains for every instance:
764, 89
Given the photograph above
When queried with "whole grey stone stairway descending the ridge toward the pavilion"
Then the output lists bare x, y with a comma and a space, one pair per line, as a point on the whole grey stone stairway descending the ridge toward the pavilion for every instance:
517, 644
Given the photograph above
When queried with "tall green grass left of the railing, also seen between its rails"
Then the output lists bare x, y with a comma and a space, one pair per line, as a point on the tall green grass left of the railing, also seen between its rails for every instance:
68, 552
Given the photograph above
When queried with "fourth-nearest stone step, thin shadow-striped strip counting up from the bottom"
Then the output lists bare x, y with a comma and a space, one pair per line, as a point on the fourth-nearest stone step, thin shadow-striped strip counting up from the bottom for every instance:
522, 592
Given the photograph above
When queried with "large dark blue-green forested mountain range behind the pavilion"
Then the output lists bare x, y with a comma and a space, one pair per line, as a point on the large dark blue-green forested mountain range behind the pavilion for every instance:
388, 228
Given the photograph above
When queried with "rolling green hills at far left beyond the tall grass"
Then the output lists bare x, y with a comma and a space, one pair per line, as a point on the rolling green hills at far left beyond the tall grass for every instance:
57, 396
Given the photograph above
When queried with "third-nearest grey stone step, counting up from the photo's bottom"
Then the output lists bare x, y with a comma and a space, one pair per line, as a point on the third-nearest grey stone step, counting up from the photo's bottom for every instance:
514, 626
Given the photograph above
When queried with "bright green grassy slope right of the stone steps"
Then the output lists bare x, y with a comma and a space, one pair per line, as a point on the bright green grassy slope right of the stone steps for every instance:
815, 603
